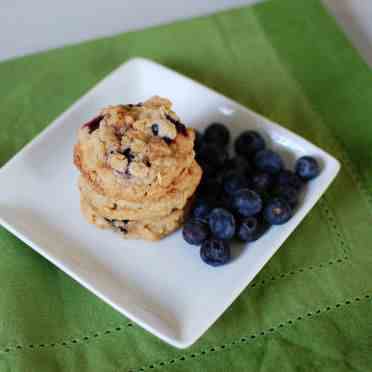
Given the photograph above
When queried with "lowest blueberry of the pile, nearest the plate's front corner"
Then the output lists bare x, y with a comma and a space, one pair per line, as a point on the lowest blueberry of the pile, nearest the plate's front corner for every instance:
215, 252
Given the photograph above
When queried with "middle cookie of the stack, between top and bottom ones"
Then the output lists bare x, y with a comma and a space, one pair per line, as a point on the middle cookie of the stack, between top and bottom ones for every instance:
177, 196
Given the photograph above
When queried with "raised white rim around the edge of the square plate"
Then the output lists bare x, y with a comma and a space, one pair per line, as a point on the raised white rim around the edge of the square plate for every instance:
180, 343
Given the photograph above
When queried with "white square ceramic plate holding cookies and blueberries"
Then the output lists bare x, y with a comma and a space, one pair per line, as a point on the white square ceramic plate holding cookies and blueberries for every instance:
163, 286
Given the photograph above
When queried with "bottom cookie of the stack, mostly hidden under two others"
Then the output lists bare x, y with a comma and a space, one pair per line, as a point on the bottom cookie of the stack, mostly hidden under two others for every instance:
148, 229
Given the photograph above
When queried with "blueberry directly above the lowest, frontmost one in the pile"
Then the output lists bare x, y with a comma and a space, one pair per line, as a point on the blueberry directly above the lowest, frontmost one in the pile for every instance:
221, 223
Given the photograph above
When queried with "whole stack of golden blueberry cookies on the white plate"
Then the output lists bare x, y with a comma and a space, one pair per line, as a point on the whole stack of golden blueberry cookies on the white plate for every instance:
138, 172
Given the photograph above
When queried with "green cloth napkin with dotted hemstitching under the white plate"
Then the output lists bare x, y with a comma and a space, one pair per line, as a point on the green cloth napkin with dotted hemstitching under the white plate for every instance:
310, 307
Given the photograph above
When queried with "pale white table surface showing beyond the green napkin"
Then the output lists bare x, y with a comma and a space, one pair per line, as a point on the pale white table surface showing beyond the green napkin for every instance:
31, 26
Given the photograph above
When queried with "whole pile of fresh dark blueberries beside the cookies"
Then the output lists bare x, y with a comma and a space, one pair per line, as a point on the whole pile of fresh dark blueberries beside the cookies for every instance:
241, 196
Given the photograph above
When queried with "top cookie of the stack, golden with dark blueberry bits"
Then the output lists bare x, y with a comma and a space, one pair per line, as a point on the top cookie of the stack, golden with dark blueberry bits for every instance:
134, 151
